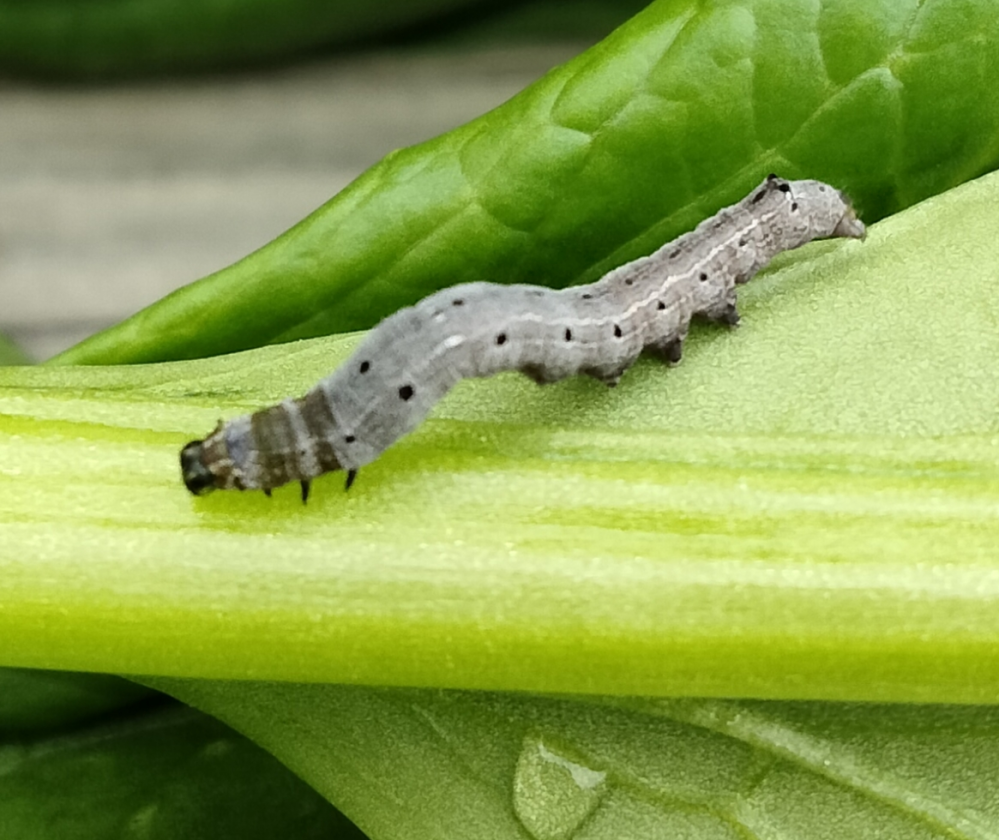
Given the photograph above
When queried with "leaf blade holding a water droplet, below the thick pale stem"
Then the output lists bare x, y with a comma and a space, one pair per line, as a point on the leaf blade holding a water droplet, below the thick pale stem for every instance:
416, 765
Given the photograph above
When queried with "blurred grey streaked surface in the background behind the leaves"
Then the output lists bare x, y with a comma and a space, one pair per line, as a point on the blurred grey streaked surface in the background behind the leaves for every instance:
111, 197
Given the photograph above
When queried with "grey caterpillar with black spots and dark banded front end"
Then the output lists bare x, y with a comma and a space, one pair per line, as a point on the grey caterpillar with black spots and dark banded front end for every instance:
414, 357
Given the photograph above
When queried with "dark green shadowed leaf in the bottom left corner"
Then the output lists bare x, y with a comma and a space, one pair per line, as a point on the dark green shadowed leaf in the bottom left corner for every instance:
159, 774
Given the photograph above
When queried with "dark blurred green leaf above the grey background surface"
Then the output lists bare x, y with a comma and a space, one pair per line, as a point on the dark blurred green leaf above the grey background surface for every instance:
77, 38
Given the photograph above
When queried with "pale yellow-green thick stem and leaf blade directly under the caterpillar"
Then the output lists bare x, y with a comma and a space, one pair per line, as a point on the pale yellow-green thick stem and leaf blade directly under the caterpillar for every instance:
807, 507
